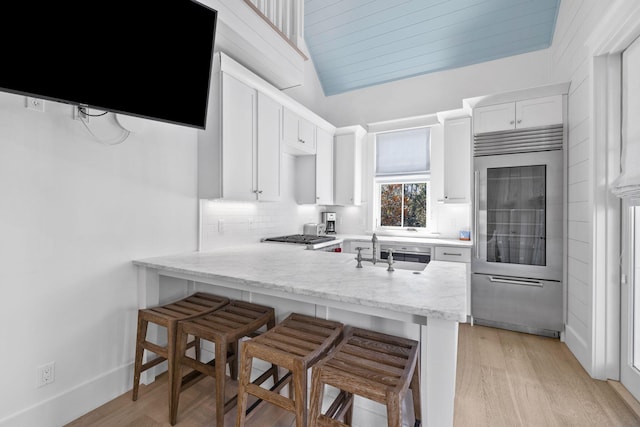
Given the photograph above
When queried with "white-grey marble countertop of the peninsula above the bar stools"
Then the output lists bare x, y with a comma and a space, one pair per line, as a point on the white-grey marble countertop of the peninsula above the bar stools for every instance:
440, 291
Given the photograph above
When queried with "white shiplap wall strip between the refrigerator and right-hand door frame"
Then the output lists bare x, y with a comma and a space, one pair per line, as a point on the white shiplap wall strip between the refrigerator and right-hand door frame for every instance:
571, 62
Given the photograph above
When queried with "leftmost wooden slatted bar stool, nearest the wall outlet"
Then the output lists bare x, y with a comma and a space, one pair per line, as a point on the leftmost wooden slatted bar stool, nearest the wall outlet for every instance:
168, 316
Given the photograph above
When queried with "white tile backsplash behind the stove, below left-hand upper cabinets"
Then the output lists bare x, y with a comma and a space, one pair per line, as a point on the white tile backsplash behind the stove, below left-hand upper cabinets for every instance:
248, 222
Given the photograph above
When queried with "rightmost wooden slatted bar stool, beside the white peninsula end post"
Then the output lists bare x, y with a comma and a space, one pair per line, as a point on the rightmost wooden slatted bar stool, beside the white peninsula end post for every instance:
370, 364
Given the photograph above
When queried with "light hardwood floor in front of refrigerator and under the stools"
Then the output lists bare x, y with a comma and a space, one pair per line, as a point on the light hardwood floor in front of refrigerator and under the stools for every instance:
504, 379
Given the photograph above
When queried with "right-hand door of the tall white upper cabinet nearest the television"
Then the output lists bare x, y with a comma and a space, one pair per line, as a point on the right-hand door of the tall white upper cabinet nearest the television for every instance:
269, 112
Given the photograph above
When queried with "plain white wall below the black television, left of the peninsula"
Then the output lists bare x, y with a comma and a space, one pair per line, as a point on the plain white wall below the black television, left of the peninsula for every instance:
73, 215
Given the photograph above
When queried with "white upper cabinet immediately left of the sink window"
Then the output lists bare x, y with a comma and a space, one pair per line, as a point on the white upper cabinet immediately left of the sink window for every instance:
348, 165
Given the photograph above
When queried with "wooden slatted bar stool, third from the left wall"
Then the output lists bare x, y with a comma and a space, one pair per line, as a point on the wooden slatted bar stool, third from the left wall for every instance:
295, 344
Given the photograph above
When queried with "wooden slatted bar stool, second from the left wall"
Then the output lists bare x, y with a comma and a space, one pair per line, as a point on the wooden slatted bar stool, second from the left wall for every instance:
224, 327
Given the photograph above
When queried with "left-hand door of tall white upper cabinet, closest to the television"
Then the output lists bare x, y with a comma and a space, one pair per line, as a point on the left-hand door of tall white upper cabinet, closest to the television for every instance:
238, 140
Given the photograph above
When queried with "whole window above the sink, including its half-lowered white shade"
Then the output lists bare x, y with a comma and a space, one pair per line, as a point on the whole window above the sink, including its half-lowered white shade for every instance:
402, 178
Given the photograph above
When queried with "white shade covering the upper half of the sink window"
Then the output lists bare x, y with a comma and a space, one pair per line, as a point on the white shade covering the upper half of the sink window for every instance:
403, 152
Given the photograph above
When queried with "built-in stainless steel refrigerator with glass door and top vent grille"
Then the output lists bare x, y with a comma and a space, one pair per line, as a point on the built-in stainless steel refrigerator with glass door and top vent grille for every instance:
517, 262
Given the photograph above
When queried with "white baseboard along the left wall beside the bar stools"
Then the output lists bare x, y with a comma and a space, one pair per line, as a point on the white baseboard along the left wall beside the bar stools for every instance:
71, 404
